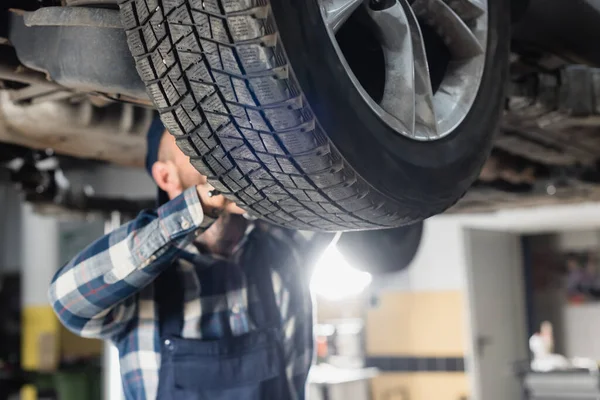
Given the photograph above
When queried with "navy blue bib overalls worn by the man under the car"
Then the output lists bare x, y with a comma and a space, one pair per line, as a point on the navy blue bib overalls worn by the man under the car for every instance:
247, 367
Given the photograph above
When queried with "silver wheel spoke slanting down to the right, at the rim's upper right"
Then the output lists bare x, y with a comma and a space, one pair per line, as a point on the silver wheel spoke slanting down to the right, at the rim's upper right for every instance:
461, 42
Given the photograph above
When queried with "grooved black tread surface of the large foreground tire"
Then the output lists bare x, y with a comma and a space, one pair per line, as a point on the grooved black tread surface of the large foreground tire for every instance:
220, 80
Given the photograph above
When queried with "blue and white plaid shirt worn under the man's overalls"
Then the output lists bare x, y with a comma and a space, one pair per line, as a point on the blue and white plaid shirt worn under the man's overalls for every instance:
107, 291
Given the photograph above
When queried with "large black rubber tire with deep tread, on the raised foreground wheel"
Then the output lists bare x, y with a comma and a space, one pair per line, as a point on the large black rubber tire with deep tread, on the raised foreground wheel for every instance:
267, 116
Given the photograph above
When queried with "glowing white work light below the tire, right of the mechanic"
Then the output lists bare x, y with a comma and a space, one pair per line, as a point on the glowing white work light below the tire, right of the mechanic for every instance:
335, 279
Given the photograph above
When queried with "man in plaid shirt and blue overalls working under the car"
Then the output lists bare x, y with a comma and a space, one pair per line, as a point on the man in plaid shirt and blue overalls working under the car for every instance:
201, 301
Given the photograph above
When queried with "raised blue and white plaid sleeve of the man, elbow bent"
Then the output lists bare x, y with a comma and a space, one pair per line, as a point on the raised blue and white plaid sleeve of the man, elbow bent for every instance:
94, 294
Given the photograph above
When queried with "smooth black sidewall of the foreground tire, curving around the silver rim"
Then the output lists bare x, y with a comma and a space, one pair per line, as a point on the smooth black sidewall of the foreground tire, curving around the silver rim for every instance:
401, 168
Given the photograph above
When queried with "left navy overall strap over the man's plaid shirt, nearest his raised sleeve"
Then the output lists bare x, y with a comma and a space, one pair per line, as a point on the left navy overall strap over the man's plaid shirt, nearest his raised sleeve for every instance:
169, 297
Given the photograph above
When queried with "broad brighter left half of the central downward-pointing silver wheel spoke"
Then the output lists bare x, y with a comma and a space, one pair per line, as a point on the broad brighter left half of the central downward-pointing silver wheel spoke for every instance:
399, 92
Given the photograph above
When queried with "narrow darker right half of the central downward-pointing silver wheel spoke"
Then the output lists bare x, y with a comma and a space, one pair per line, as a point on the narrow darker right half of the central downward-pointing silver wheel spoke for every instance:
424, 111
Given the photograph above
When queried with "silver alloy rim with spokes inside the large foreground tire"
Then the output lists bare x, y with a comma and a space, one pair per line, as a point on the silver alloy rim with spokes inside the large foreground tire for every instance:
409, 104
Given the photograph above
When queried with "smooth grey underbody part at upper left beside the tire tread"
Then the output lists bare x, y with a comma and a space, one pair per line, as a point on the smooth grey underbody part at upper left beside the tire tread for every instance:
84, 49
